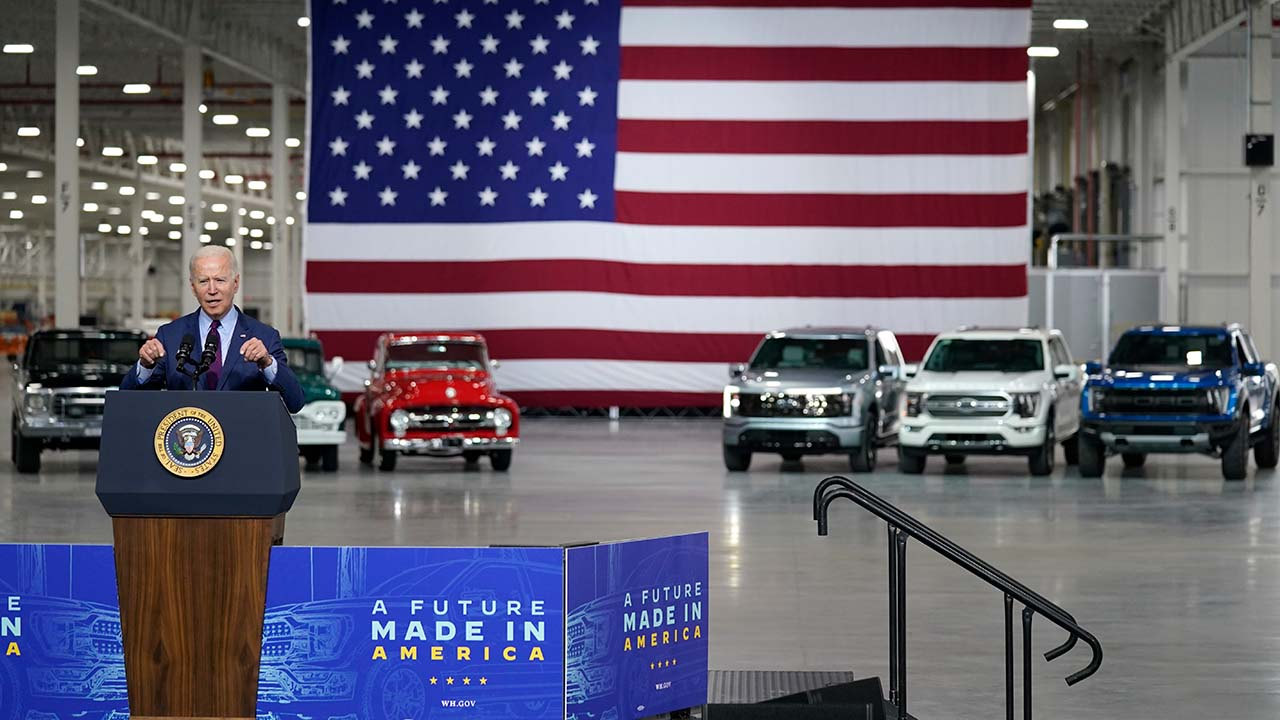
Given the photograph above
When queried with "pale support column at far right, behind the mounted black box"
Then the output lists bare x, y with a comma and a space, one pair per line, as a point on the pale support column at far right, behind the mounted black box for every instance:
1260, 179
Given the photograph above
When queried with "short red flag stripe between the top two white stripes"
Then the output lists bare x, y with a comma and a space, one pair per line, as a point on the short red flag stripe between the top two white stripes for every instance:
835, 65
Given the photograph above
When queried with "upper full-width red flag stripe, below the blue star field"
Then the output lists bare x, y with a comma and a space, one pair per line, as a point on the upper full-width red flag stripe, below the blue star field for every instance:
664, 280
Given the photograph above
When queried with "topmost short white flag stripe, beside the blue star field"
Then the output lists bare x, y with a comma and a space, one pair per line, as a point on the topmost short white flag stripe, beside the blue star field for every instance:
825, 28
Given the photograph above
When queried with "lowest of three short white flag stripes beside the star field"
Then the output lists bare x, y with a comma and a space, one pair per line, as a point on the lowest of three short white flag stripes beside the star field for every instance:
881, 175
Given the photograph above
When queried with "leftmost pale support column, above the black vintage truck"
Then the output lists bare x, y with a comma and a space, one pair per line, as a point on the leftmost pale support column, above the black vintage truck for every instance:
67, 262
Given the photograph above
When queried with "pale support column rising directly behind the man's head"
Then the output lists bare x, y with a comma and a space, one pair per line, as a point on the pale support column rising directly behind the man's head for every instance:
193, 153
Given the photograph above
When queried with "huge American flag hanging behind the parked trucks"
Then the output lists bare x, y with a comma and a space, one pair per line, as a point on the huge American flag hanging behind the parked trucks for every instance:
623, 198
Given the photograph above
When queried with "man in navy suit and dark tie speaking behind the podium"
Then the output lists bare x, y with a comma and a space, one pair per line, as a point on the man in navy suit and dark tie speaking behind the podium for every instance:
250, 356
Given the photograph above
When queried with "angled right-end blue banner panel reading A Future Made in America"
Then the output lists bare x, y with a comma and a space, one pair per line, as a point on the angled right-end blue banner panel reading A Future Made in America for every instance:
637, 630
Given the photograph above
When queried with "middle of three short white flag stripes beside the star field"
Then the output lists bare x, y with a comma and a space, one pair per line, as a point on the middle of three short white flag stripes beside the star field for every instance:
752, 101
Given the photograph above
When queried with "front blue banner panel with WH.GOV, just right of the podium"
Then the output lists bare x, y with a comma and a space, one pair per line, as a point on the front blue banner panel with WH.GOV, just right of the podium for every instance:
413, 634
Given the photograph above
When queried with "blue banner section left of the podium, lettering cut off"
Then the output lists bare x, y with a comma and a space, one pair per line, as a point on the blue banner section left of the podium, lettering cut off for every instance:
61, 650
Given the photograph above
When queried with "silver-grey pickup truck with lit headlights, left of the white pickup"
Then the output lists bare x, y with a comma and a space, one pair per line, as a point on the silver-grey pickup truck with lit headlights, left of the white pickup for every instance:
812, 391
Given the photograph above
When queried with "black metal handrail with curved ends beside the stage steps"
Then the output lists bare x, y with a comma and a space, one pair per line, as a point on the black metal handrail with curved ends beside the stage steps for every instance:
903, 526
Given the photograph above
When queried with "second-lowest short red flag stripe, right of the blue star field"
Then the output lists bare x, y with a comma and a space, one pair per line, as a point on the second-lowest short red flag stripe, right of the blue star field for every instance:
824, 138
